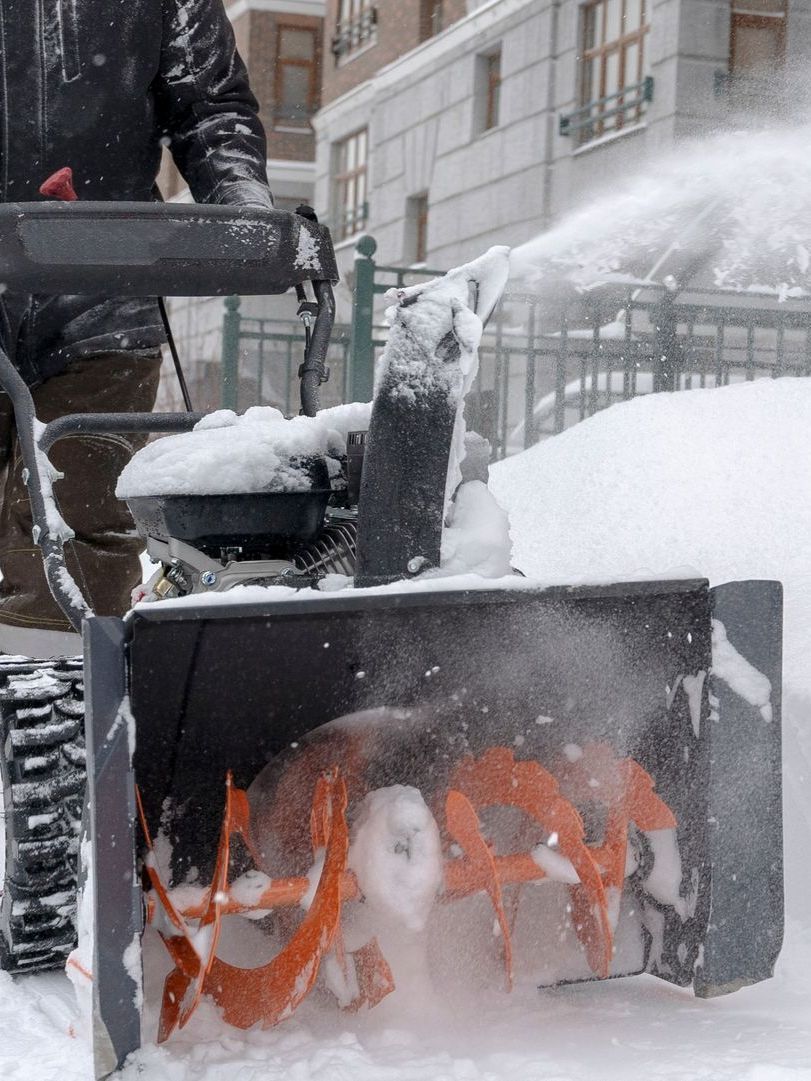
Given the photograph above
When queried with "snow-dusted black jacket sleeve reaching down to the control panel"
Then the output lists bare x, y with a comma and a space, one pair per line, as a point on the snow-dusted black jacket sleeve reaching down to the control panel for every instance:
206, 106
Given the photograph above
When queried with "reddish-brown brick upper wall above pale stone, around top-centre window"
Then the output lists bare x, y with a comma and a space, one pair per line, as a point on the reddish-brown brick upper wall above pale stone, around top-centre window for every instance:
400, 30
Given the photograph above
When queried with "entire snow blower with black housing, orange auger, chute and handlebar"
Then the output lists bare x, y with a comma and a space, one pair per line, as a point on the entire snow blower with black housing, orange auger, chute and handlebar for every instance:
587, 744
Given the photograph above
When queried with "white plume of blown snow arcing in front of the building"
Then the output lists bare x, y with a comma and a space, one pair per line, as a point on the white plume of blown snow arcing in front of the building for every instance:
742, 202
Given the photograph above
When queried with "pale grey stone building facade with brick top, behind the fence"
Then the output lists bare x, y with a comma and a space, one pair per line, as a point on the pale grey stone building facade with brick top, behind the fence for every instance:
450, 127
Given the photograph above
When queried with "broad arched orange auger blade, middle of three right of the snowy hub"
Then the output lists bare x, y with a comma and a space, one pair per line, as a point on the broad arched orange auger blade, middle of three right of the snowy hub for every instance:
497, 779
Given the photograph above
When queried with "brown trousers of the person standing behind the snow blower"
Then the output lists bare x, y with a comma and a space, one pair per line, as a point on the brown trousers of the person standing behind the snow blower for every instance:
104, 557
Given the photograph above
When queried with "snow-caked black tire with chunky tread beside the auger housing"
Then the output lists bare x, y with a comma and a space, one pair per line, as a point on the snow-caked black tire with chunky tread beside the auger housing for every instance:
44, 776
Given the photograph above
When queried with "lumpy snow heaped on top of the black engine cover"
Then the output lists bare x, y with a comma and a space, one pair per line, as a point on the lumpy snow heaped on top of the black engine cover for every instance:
258, 451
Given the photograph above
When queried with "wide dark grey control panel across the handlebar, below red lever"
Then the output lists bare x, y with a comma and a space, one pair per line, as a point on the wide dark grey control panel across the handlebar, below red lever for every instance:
159, 249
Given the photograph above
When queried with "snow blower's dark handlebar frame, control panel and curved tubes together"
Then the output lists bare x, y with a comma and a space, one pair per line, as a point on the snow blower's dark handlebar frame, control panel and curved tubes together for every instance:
143, 250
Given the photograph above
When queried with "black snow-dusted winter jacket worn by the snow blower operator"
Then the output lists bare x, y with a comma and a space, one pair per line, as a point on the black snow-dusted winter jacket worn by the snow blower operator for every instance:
99, 86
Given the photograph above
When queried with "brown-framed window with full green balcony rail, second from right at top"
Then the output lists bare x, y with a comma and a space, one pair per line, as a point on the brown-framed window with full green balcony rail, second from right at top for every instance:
614, 88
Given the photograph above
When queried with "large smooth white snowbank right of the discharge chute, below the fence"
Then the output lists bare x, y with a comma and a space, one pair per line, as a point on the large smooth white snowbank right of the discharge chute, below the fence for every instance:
712, 484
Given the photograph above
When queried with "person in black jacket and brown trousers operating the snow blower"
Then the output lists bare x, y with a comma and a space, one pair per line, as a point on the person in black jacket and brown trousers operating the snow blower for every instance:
100, 86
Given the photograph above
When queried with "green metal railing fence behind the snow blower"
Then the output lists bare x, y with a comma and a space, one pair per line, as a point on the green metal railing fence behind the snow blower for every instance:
546, 363
